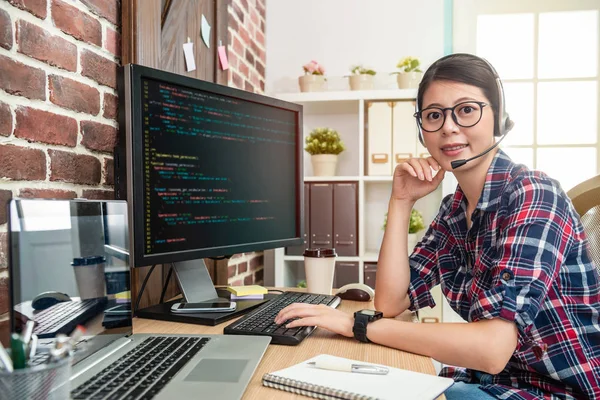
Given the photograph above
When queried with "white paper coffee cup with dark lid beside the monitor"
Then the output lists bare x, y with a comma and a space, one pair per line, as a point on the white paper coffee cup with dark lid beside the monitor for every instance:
319, 266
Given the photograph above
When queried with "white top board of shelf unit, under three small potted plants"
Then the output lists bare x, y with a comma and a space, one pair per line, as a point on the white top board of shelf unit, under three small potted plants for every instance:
347, 95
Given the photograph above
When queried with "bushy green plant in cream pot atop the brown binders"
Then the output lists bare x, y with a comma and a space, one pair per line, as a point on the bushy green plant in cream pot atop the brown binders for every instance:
324, 145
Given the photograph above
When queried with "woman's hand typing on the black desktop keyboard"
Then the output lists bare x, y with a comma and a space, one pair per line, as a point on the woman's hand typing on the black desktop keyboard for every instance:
317, 315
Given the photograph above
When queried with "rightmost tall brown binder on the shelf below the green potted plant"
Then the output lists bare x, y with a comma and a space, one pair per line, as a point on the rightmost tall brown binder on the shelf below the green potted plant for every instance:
345, 219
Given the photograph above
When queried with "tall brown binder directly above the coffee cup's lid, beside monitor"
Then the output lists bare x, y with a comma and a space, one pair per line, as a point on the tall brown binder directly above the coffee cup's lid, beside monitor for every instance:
321, 215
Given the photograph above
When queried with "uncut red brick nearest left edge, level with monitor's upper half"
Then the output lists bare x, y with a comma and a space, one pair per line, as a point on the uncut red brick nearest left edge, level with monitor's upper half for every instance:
46, 127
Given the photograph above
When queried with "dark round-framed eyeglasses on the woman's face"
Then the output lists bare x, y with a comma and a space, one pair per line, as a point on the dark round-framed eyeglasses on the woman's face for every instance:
464, 114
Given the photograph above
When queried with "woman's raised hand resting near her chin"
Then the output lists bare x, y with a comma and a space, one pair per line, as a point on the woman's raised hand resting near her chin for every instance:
414, 179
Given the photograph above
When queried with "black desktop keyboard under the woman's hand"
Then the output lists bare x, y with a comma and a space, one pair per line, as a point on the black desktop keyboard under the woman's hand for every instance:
261, 320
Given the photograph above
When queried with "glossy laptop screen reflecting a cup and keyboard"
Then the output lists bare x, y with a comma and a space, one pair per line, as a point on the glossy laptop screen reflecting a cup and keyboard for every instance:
69, 267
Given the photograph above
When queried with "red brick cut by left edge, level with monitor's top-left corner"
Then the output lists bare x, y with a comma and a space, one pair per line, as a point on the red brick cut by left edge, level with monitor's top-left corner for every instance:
22, 80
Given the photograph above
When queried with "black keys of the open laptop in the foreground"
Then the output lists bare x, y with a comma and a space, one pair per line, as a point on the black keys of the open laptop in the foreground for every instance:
142, 372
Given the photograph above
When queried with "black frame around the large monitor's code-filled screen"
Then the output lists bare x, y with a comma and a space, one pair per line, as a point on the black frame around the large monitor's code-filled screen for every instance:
132, 119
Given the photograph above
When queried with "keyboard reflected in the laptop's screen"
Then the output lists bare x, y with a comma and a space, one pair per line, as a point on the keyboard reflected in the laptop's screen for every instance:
65, 316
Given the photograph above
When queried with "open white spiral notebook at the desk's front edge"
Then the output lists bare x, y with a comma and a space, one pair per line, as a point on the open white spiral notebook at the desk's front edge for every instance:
324, 384
